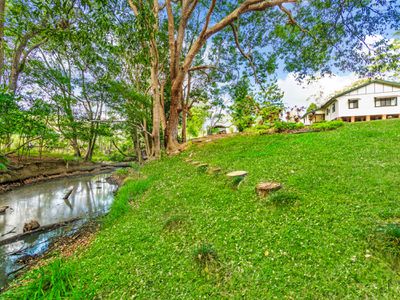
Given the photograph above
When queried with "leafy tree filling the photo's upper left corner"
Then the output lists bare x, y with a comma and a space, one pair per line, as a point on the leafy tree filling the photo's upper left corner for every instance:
27, 25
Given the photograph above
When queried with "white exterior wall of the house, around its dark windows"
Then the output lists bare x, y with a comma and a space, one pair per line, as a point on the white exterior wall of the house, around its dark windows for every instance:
366, 102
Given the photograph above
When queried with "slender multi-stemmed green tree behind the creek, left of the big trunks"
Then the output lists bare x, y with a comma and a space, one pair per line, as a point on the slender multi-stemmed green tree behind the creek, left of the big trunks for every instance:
72, 72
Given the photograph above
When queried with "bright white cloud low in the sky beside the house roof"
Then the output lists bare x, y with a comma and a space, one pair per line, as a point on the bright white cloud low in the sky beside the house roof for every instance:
302, 94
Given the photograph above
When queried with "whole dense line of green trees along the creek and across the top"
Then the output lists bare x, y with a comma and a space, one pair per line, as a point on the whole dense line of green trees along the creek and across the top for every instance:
139, 75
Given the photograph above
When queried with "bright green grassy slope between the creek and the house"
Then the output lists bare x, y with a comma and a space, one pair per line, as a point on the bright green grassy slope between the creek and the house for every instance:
329, 233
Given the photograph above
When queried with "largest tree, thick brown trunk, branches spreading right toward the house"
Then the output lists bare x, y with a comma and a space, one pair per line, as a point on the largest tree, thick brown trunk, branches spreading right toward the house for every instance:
304, 35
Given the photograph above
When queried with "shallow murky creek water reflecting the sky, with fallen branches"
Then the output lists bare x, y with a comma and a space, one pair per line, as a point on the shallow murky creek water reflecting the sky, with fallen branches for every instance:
92, 196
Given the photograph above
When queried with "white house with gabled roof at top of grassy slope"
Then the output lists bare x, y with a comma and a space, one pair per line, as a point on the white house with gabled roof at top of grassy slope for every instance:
372, 100
